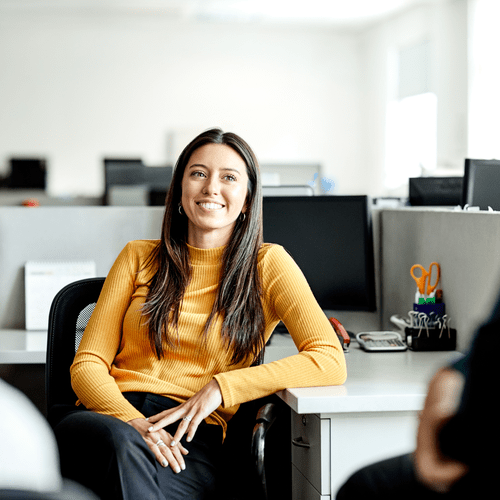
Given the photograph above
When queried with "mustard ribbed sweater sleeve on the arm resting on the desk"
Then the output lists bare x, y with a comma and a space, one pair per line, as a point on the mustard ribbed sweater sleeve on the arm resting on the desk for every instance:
320, 360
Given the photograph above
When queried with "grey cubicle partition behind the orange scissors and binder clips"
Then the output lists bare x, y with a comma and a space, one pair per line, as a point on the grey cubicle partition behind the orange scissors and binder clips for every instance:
465, 244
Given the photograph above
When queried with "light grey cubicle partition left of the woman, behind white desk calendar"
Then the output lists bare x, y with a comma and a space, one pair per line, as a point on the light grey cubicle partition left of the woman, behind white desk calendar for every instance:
70, 233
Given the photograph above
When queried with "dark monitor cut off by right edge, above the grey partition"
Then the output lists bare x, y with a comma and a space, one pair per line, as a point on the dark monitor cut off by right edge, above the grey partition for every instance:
481, 184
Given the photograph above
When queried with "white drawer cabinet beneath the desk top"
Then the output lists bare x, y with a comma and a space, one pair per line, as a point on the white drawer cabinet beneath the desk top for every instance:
327, 449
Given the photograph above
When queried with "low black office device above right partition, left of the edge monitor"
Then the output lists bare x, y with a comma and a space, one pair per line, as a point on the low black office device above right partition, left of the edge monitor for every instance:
435, 191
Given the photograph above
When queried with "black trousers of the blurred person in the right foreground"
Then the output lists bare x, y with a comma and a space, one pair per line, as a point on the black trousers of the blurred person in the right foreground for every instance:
395, 479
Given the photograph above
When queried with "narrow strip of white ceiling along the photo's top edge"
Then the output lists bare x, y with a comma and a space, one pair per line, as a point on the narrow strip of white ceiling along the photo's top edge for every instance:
341, 13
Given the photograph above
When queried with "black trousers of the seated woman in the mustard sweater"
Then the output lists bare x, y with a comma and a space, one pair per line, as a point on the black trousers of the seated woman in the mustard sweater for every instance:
111, 458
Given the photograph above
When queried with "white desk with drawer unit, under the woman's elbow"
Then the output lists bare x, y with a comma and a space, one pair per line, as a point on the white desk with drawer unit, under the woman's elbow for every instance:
338, 429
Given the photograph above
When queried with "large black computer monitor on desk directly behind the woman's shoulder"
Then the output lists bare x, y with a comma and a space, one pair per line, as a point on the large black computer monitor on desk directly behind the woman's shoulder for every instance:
330, 238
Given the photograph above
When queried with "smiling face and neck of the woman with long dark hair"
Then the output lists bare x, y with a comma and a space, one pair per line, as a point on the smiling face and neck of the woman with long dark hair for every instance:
214, 190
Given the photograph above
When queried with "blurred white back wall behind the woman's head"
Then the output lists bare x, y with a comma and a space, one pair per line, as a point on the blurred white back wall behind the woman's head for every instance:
75, 88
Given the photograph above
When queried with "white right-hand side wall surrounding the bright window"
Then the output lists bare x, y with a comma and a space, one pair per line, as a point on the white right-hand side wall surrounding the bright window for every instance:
444, 25
